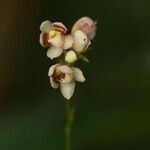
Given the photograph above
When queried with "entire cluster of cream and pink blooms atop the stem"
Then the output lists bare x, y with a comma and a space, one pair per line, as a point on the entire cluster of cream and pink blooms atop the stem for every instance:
68, 48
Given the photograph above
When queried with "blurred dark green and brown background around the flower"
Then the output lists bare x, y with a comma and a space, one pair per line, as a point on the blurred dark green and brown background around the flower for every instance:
112, 106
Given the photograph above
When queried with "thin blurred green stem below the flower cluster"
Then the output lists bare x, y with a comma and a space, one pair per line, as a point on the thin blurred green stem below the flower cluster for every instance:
68, 126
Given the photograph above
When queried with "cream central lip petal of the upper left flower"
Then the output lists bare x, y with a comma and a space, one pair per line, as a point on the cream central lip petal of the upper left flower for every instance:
57, 41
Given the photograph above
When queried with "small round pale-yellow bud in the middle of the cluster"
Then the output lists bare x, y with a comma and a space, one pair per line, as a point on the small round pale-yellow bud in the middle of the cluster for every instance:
71, 56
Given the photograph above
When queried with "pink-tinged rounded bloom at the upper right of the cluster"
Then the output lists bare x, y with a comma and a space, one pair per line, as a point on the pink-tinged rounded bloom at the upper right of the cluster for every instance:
87, 25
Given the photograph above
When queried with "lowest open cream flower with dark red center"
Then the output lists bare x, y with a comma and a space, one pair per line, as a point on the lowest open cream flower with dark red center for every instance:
65, 77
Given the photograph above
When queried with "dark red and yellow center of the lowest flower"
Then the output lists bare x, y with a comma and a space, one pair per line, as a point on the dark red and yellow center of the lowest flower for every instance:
58, 75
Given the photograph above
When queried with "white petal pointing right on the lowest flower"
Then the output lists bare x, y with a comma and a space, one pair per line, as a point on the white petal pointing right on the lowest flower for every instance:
78, 75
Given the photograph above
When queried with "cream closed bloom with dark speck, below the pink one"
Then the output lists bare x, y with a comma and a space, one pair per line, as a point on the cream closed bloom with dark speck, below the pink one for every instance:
80, 41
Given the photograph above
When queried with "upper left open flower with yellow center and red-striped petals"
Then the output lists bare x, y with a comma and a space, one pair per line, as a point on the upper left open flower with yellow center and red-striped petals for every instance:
52, 37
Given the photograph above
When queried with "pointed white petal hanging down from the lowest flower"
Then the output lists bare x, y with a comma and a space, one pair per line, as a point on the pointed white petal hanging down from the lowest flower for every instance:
67, 89
